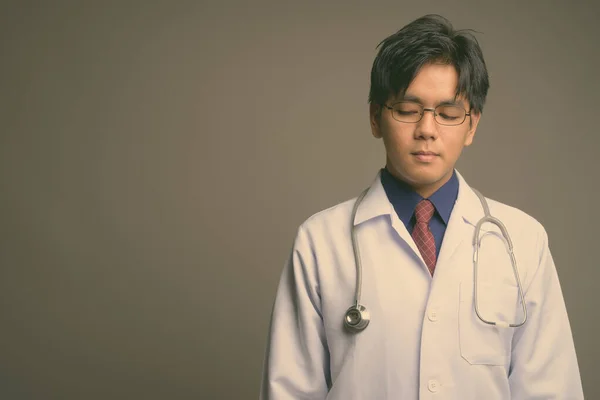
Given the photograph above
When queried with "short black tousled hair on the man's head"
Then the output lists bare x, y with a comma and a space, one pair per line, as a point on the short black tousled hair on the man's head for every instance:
429, 39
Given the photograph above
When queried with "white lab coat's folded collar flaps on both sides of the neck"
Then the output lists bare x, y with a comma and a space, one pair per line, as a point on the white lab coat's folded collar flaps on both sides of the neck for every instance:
376, 203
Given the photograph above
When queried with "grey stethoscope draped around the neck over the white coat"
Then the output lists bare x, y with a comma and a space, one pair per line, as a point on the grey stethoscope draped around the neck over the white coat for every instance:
357, 317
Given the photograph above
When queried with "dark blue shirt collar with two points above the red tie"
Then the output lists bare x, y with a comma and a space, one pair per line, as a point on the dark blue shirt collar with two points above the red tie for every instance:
404, 199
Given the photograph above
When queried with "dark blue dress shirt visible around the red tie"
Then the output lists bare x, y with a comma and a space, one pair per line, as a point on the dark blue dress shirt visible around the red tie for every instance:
405, 200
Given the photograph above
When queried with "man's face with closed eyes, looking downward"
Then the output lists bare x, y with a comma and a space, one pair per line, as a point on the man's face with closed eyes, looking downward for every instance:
433, 85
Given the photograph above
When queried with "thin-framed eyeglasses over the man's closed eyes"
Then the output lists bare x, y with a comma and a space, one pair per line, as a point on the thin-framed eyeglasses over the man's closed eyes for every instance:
412, 112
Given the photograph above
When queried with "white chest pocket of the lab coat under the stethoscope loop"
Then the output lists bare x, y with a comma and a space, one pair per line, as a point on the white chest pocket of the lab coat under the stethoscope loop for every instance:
481, 343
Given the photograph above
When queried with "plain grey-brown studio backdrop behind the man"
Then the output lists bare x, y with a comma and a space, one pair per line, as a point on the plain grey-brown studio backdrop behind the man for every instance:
156, 160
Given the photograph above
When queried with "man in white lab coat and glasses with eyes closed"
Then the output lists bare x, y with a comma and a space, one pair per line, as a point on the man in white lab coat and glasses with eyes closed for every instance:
441, 325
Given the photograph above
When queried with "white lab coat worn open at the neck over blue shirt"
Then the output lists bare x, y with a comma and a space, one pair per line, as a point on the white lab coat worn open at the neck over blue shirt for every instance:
424, 340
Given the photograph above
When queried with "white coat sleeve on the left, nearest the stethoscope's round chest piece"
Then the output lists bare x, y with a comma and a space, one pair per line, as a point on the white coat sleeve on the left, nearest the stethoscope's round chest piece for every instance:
296, 364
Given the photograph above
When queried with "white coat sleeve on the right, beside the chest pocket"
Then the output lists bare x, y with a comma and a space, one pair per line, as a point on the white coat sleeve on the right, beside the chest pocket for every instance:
543, 362
